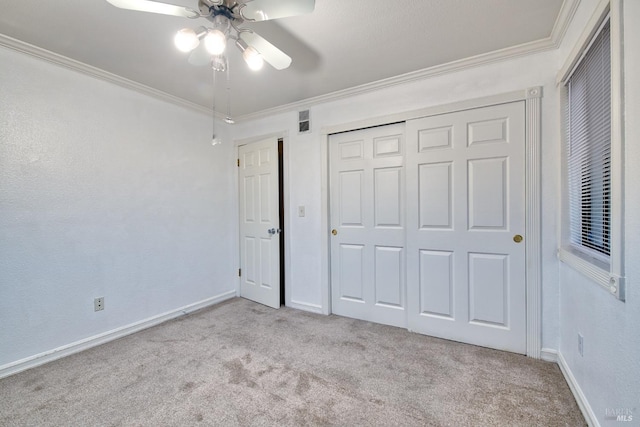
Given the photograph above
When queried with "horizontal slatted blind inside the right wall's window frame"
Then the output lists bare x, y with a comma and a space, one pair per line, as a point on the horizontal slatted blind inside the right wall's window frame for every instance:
589, 148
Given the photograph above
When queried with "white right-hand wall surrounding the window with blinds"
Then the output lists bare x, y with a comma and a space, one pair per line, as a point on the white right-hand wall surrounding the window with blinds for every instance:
609, 372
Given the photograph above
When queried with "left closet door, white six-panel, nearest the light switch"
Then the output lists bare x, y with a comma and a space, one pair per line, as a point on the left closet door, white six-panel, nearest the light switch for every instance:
367, 218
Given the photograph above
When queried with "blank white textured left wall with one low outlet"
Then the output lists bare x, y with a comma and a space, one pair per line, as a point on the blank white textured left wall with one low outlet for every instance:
103, 192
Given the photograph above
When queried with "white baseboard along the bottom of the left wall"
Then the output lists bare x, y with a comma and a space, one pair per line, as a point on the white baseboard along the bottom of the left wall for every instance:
84, 344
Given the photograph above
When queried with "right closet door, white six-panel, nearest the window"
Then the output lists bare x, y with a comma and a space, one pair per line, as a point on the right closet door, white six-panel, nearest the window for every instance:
465, 191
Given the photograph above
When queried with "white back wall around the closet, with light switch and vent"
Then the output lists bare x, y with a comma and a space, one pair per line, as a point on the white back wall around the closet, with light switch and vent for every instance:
305, 162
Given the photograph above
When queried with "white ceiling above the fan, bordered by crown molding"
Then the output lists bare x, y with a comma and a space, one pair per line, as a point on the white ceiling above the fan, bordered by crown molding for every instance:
342, 44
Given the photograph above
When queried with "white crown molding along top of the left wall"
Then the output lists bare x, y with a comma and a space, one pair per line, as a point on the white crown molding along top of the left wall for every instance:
72, 64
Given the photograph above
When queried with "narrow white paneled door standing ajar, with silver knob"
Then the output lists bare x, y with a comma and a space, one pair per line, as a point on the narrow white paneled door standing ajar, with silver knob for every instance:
259, 222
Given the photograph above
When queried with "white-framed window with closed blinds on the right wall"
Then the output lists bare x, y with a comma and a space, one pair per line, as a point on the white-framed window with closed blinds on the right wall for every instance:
591, 90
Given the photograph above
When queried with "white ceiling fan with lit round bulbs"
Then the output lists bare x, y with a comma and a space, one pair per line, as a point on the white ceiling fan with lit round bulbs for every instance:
225, 19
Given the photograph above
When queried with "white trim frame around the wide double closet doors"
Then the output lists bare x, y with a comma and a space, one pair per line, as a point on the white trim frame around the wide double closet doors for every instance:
533, 277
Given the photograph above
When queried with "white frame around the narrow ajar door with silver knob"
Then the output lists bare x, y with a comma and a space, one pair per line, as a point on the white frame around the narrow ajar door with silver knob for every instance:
285, 236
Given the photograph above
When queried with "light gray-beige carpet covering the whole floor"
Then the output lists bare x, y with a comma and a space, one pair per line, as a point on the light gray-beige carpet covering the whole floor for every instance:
240, 363
